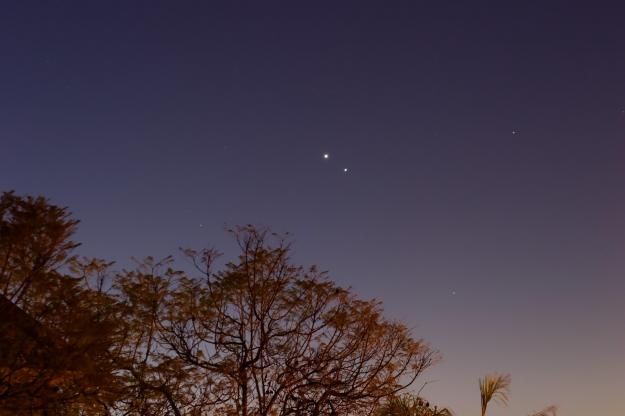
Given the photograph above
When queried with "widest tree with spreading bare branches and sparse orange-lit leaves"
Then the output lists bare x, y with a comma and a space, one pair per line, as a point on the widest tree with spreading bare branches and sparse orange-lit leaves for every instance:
271, 338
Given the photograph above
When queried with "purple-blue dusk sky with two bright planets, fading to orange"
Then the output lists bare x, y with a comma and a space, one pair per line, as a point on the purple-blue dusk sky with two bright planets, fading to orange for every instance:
484, 197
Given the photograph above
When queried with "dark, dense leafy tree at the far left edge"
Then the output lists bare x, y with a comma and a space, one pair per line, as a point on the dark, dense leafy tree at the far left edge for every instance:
55, 353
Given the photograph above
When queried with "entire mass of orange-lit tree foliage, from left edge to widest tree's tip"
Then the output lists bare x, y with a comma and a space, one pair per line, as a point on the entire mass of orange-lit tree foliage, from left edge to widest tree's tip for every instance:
261, 336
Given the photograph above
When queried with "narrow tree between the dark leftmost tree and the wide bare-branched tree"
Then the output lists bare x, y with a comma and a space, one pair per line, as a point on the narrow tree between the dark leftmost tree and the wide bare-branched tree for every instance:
156, 381
